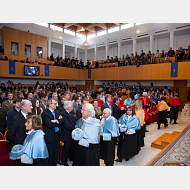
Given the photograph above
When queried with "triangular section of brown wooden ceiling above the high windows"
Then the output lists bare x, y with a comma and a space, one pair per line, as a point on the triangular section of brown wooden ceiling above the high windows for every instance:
89, 28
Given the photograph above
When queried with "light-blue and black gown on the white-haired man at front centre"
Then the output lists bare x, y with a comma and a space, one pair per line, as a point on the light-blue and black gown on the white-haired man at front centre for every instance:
88, 156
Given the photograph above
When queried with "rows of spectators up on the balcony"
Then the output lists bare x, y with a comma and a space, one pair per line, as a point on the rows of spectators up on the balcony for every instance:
181, 54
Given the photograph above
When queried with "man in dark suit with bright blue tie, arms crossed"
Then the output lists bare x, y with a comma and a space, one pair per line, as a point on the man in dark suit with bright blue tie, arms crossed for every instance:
51, 130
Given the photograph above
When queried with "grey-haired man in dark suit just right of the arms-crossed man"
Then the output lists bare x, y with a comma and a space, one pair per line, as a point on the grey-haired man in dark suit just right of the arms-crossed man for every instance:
68, 122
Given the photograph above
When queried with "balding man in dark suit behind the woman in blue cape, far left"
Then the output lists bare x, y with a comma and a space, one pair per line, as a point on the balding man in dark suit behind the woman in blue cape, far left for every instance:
17, 129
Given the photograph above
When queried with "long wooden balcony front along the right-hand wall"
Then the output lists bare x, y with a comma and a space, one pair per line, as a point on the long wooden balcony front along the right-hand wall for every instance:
160, 71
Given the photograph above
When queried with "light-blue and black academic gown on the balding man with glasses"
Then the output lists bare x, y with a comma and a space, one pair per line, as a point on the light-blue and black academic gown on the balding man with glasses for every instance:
107, 148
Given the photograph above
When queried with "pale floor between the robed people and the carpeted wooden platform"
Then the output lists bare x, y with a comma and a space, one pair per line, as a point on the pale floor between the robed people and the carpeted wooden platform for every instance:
147, 152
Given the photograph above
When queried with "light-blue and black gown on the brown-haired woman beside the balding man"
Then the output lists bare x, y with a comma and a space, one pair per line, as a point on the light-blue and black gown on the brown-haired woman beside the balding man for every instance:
128, 144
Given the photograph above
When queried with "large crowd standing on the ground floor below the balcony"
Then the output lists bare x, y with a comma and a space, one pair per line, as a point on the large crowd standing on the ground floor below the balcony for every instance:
43, 116
